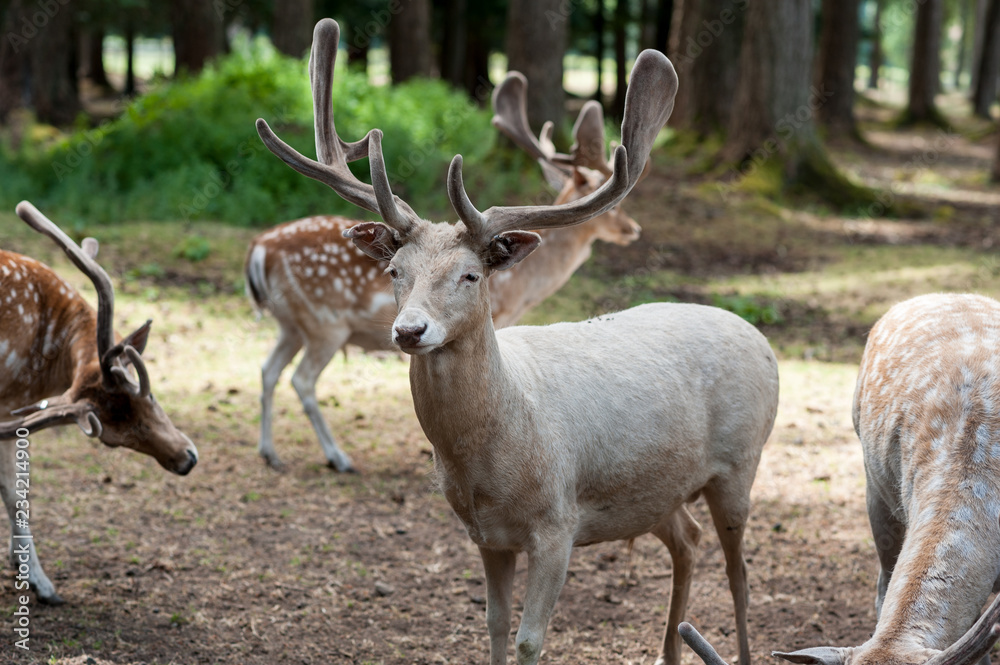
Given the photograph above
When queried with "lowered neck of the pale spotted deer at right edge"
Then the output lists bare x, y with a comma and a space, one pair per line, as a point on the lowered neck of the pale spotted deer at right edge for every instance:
944, 572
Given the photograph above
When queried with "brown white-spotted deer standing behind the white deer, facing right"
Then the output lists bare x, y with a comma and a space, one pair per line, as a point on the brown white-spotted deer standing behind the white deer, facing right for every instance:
325, 293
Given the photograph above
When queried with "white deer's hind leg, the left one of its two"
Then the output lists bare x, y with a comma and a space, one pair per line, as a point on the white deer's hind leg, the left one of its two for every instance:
680, 532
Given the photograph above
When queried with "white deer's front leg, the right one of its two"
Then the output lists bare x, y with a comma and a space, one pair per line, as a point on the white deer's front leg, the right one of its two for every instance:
547, 566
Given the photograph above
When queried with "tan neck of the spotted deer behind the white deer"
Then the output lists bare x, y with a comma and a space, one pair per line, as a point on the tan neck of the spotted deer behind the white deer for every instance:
514, 292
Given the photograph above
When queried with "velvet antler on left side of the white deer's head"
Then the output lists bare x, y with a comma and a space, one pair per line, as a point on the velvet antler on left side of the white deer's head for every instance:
334, 153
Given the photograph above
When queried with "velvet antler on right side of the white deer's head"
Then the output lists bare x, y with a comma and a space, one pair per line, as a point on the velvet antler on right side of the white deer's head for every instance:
648, 103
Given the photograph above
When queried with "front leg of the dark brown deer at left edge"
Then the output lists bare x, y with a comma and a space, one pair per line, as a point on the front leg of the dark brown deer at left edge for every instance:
22, 547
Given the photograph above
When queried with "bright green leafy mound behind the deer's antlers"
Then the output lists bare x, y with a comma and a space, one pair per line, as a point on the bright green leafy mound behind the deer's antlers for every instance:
189, 150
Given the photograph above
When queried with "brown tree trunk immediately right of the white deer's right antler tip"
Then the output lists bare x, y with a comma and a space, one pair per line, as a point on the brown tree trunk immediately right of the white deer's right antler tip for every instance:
708, 63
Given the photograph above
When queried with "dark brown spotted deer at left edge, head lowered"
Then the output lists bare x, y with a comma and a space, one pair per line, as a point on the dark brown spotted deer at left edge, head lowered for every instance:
60, 363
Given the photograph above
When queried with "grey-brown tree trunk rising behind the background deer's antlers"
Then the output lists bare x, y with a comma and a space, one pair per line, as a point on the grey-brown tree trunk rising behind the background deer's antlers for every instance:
536, 42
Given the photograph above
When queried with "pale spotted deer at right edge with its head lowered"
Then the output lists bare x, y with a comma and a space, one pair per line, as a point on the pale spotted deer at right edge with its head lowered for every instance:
927, 411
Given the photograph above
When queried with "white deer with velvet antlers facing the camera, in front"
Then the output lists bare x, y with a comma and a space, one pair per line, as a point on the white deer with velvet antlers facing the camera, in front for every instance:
546, 438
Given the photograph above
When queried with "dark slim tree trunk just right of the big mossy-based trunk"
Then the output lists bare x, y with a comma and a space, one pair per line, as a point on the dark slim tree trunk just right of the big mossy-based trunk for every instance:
838, 51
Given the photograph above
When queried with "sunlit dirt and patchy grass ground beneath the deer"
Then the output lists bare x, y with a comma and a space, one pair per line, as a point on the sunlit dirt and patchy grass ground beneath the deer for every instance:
239, 564
